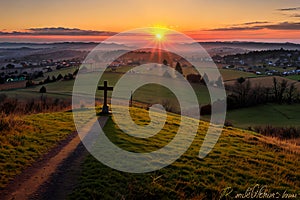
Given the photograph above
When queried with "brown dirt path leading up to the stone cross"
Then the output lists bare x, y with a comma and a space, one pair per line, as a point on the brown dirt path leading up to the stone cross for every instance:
55, 175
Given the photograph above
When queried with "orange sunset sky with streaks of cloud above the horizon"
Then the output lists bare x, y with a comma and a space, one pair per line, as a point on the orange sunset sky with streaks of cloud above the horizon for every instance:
203, 20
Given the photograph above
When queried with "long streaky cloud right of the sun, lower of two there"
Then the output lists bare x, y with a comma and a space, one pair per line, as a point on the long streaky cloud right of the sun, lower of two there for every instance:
278, 26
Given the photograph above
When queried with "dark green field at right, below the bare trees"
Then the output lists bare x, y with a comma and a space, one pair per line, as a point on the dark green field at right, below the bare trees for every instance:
269, 114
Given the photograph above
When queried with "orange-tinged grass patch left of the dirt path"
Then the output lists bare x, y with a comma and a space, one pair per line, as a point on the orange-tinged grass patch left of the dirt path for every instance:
28, 138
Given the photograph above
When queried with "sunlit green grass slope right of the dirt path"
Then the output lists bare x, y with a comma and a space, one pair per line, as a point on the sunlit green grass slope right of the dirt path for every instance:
239, 160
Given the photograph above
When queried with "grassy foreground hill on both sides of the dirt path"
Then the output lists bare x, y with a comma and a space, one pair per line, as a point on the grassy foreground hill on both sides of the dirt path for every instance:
239, 160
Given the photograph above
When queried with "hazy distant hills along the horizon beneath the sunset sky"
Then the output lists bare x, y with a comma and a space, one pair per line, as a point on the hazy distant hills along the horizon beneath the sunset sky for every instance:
10, 50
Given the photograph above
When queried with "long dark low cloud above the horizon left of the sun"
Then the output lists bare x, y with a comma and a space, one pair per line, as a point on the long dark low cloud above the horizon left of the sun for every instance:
58, 31
